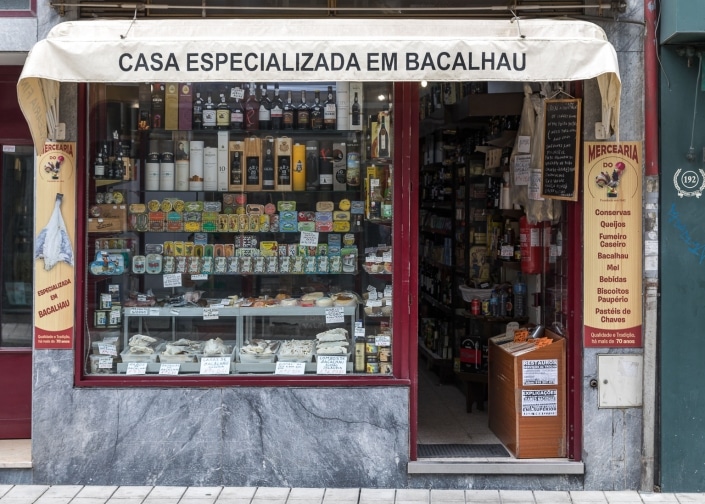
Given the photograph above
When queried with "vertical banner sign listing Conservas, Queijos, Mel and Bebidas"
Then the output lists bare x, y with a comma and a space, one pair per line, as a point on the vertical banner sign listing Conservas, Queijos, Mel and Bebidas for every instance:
612, 240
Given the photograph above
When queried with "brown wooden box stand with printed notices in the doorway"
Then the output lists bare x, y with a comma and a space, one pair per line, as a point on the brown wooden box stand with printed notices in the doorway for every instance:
527, 399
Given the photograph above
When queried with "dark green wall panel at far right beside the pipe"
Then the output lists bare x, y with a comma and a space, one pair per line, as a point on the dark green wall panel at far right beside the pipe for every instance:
682, 265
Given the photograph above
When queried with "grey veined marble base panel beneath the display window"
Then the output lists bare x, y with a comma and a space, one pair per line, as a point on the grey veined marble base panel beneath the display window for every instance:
240, 436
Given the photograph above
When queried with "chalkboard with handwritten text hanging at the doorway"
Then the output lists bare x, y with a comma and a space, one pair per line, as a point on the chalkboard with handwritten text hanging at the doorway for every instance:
561, 152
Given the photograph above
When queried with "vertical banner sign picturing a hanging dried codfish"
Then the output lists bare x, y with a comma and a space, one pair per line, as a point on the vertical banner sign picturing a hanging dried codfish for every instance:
54, 245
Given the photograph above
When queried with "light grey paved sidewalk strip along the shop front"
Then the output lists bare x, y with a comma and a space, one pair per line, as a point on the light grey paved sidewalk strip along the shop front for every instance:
77, 494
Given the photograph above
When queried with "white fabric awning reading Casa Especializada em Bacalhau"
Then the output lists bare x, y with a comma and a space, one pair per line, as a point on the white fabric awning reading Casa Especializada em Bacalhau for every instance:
279, 50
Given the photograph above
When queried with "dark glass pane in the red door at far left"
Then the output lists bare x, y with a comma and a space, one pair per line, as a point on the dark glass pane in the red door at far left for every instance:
17, 263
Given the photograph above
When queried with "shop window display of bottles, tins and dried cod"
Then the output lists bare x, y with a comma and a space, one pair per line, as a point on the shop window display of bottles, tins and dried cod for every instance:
233, 232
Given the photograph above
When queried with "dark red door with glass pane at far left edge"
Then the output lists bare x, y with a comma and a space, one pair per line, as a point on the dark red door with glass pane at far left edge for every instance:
16, 263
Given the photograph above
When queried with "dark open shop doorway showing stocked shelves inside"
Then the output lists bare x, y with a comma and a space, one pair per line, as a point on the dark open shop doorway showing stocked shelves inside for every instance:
465, 226
